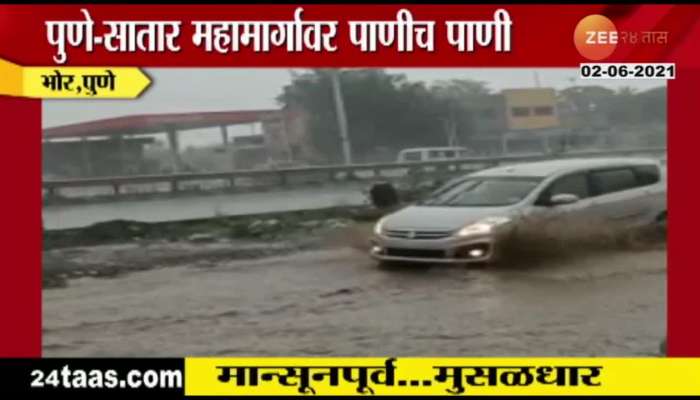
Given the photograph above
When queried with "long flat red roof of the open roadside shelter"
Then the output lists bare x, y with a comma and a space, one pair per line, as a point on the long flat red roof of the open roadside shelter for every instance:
157, 123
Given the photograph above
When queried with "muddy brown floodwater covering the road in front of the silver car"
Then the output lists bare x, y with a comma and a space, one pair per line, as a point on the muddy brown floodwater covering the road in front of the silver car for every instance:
336, 302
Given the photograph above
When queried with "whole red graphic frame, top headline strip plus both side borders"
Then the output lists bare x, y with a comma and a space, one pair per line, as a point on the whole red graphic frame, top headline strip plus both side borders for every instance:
442, 36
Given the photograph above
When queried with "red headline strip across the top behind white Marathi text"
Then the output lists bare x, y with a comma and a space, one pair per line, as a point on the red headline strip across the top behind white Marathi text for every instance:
343, 35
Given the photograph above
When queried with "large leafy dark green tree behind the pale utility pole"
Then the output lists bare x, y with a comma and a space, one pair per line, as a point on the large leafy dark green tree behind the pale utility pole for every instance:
383, 110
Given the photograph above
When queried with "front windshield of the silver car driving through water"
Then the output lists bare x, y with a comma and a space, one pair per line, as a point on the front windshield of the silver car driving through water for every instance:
482, 192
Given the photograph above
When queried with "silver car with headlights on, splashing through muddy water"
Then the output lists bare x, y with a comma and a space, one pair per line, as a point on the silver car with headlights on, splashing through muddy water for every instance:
470, 216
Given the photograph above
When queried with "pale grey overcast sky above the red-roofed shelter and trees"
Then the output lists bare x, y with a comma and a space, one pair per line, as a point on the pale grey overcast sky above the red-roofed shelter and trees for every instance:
219, 89
